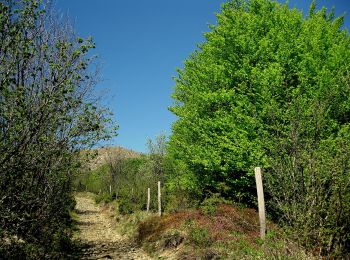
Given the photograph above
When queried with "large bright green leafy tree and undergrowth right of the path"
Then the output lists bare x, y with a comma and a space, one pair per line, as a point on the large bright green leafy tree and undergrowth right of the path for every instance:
270, 87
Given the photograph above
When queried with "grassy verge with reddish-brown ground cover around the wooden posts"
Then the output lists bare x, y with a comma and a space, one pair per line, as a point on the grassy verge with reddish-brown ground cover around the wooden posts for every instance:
220, 231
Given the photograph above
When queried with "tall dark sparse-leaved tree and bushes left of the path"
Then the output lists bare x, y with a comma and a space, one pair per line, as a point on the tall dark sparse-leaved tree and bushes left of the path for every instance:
46, 117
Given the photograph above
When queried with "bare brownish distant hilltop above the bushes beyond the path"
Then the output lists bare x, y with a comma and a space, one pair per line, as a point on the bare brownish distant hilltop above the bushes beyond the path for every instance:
103, 154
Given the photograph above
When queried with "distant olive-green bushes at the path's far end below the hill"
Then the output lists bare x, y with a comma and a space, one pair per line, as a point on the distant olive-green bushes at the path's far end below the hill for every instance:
128, 185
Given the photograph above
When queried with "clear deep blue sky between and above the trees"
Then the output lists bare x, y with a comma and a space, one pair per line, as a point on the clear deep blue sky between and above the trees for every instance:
140, 45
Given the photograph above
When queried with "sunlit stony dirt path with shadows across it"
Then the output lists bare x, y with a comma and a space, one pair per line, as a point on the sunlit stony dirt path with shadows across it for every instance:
98, 235
